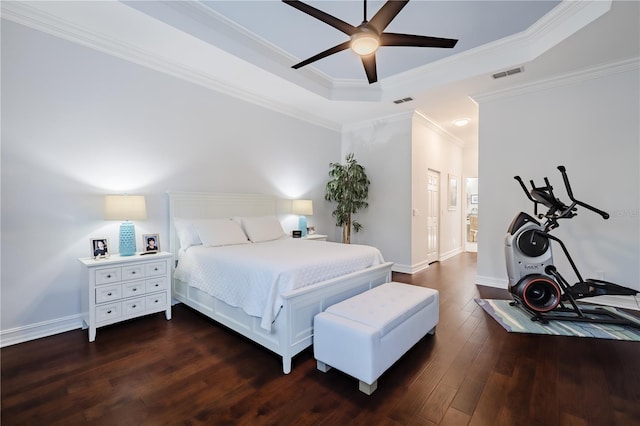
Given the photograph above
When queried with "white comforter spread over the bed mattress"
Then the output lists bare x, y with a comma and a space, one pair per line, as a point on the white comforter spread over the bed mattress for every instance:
254, 276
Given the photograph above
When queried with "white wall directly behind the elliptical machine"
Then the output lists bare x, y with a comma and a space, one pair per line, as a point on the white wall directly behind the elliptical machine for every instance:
589, 123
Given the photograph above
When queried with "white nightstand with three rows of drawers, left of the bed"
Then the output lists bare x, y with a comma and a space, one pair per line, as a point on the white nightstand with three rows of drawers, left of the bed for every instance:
124, 287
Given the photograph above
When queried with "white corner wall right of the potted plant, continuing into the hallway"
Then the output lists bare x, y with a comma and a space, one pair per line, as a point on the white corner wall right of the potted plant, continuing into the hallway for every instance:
397, 153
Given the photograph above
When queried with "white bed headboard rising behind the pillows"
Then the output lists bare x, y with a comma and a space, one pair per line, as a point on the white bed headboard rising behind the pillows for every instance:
203, 205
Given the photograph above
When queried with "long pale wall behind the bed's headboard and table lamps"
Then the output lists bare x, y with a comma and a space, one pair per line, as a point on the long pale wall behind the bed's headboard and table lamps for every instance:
78, 124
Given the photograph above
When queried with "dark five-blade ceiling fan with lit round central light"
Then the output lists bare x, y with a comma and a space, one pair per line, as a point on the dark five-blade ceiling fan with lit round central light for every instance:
369, 35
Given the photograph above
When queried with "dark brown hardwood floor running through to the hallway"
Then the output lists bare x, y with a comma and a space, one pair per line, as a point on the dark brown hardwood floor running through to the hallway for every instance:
191, 371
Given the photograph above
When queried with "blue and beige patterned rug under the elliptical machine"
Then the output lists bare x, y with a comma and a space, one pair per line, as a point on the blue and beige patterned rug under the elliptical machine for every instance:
517, 320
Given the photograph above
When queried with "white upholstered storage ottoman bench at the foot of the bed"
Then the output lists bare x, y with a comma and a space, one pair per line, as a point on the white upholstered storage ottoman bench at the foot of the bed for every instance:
364, 335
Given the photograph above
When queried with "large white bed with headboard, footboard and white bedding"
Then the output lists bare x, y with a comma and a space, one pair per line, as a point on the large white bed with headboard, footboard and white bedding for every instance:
284, 322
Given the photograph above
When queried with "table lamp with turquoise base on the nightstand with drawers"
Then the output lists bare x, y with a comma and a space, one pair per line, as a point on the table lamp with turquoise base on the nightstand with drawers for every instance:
127, 208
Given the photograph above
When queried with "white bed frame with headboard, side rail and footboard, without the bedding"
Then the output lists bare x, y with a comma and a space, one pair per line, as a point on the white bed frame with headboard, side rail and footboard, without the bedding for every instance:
292, 331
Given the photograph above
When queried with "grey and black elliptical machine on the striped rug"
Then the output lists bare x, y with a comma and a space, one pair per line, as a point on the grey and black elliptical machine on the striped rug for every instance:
534, 282
